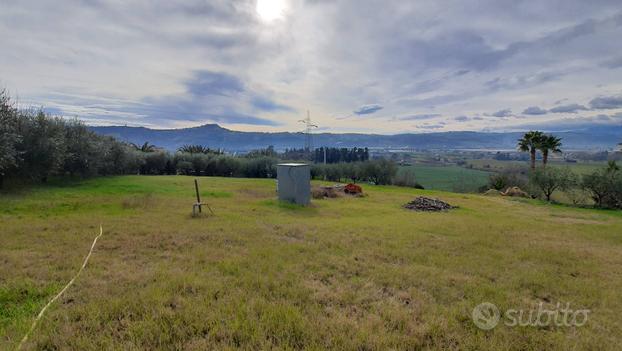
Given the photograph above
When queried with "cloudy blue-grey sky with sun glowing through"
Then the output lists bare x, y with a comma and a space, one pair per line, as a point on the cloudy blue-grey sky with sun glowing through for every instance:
365, 66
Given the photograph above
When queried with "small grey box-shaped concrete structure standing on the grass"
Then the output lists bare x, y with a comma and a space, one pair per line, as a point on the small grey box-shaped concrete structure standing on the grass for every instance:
294, 182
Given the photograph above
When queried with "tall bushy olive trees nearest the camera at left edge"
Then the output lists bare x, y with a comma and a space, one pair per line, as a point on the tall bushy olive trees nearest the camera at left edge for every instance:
35, 146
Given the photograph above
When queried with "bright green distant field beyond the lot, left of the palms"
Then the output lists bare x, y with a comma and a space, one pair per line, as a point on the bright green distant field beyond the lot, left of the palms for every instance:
448, 178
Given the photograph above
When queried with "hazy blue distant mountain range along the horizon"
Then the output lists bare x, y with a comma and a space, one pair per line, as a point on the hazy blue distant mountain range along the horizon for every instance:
214, 136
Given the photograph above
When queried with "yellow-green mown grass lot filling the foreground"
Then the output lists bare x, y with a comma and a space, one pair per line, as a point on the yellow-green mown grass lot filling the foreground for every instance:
345, 273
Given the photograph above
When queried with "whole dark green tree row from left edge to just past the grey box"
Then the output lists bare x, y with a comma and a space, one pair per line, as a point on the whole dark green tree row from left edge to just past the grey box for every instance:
35, 146
